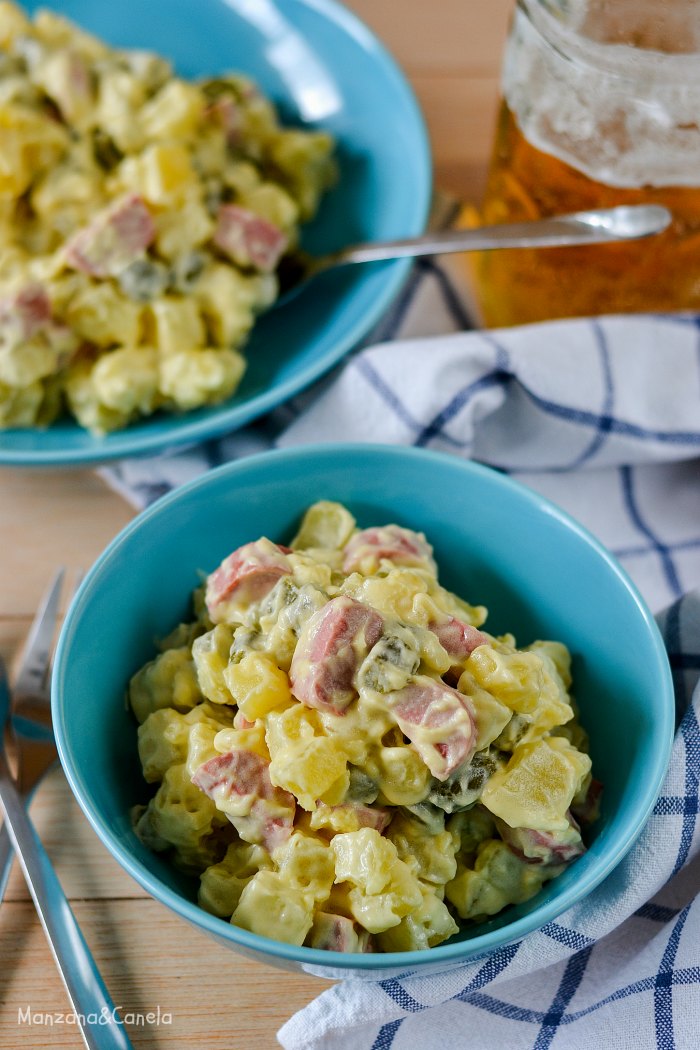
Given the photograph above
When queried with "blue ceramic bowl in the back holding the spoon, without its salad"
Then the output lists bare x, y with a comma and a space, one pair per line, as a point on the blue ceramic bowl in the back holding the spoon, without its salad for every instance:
325, 70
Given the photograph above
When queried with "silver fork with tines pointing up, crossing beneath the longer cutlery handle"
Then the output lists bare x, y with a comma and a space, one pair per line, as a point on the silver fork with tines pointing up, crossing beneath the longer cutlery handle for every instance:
32, 717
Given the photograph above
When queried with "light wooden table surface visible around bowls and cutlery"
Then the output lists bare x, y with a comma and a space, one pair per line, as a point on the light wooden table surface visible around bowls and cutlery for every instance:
150, 958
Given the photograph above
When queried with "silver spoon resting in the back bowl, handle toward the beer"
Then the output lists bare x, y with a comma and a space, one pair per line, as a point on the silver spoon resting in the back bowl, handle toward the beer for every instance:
597, 227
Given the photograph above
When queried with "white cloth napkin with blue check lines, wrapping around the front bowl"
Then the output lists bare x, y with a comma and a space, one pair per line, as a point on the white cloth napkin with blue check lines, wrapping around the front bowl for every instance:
603, 417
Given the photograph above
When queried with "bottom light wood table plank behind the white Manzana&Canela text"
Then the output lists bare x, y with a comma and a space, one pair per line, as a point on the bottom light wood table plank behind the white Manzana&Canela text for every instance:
150, 959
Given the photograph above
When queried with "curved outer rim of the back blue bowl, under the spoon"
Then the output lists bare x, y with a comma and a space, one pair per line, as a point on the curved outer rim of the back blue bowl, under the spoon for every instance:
180, 432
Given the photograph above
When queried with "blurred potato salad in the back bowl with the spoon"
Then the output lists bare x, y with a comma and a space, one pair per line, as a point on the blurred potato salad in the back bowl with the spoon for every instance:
142, 222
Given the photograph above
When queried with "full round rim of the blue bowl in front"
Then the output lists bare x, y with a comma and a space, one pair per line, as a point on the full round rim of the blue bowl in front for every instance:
448, 954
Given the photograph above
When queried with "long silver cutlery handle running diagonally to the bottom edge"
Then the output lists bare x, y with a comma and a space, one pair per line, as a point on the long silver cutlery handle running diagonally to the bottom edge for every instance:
97, 1017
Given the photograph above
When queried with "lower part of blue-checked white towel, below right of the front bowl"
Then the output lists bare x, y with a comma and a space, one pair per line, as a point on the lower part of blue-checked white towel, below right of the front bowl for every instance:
620, 971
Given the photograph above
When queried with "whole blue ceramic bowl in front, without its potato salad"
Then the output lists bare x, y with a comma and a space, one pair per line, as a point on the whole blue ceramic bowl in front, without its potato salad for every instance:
540, 574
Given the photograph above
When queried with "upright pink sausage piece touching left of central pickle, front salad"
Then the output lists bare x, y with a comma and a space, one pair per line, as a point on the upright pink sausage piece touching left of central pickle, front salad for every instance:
331, 648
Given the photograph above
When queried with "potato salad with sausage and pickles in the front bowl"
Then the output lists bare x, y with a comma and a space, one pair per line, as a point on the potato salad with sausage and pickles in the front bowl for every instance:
345, 757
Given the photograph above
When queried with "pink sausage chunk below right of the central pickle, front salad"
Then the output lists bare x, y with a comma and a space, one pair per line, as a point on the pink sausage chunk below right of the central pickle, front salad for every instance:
428, 705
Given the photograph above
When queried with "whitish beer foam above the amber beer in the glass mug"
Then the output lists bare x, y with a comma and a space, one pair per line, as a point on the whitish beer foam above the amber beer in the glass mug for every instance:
622, 117
